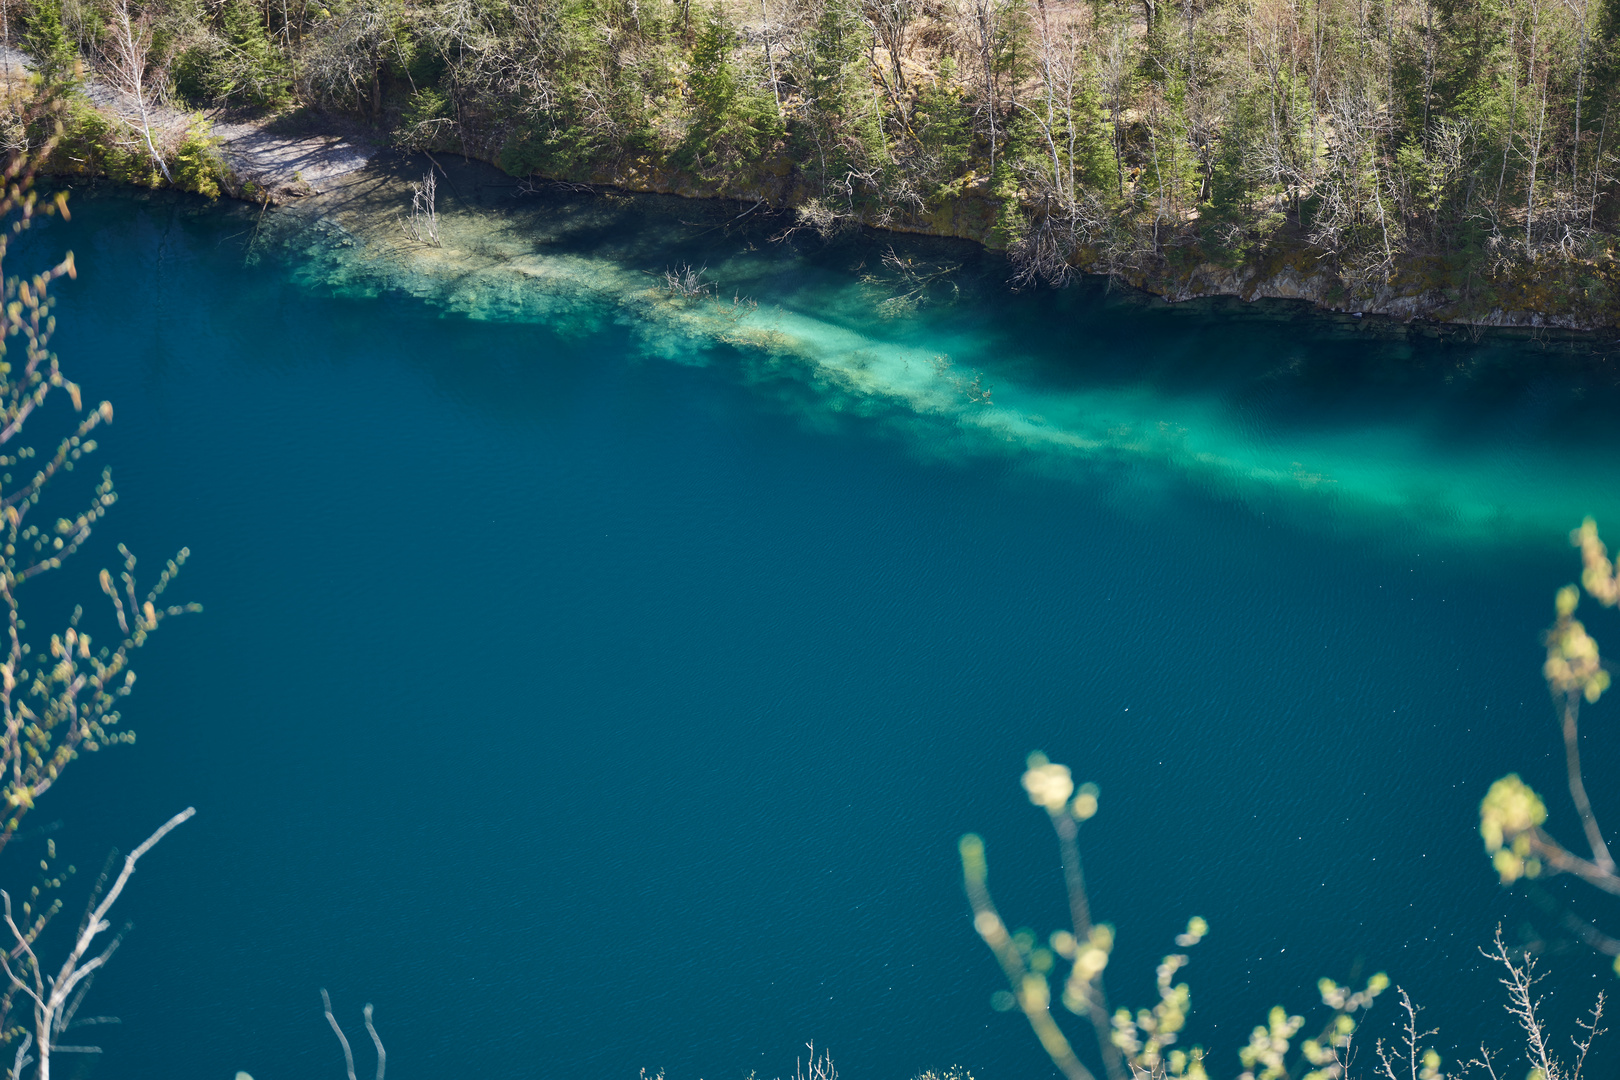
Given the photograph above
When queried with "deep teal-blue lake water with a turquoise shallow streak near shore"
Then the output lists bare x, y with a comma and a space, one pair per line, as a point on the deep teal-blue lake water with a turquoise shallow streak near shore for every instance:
599, 681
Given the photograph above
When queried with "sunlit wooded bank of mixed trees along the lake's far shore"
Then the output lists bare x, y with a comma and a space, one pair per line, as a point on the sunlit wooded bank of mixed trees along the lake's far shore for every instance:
1417, 159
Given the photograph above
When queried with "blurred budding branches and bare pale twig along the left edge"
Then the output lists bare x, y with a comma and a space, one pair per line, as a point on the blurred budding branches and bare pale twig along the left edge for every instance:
61, 700
